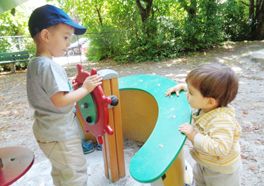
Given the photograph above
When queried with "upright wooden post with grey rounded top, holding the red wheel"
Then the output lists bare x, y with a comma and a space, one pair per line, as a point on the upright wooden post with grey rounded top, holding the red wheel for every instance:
113, 153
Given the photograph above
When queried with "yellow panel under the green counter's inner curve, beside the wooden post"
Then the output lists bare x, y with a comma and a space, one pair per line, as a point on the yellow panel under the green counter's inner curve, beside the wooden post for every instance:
139, 114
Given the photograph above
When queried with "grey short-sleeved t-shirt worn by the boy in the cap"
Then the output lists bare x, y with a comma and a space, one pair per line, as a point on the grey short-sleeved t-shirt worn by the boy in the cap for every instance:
44, 79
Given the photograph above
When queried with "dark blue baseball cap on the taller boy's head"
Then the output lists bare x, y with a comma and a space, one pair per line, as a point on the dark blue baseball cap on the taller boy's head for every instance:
49, 15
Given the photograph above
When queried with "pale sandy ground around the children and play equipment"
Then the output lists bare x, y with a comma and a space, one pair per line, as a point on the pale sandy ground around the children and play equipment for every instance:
246, 58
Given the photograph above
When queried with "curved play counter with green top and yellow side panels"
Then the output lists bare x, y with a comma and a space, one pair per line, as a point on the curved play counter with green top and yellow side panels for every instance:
151, 117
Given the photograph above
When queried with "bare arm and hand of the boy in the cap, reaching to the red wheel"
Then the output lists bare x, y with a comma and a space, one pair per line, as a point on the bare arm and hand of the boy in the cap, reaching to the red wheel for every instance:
62, 99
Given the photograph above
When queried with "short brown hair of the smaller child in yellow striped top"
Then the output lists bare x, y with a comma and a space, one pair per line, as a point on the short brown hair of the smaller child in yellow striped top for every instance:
215, 80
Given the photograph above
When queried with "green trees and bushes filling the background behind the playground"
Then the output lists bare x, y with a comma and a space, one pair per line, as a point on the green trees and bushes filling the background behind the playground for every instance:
141, 30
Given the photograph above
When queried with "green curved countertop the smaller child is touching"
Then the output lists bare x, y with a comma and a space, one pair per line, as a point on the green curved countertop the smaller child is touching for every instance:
165, 142
